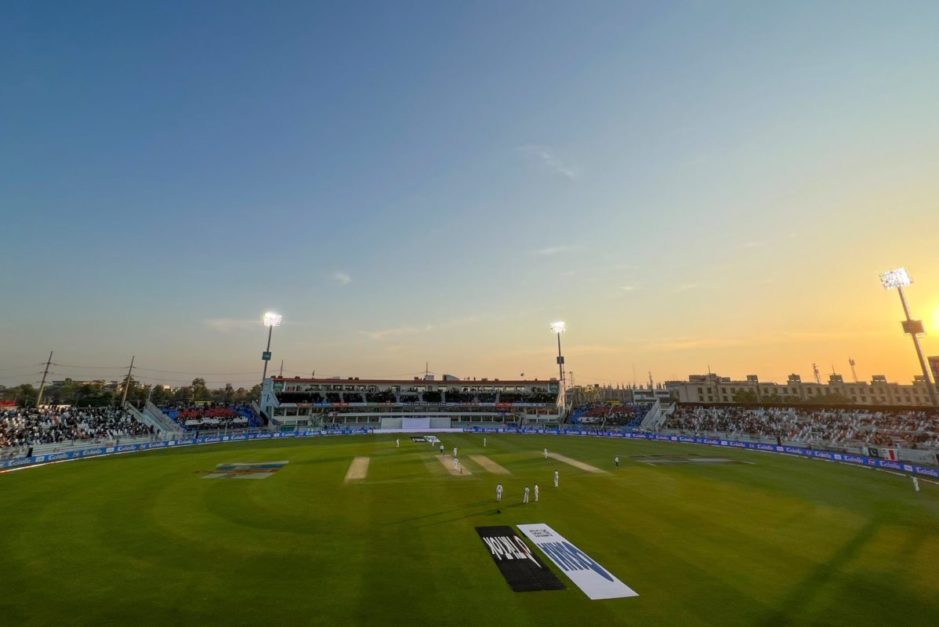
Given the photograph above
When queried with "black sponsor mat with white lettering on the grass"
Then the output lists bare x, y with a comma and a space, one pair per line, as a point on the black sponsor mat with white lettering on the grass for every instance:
523, 570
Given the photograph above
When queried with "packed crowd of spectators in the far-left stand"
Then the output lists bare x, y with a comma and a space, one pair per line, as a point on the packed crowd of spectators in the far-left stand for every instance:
28, 427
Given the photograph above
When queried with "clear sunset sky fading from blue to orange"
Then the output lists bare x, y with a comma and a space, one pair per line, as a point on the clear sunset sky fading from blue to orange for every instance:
687, 185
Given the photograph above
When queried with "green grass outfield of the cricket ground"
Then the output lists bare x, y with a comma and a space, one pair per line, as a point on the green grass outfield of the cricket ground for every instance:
144, 539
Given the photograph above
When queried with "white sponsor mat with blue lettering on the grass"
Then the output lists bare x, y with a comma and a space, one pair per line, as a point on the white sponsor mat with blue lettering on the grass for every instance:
583, 570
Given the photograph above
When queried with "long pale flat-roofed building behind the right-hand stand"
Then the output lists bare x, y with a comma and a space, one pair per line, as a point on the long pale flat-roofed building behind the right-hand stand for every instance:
711, 388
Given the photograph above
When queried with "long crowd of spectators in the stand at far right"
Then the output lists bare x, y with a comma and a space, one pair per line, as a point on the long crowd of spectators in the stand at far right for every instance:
845, 427
